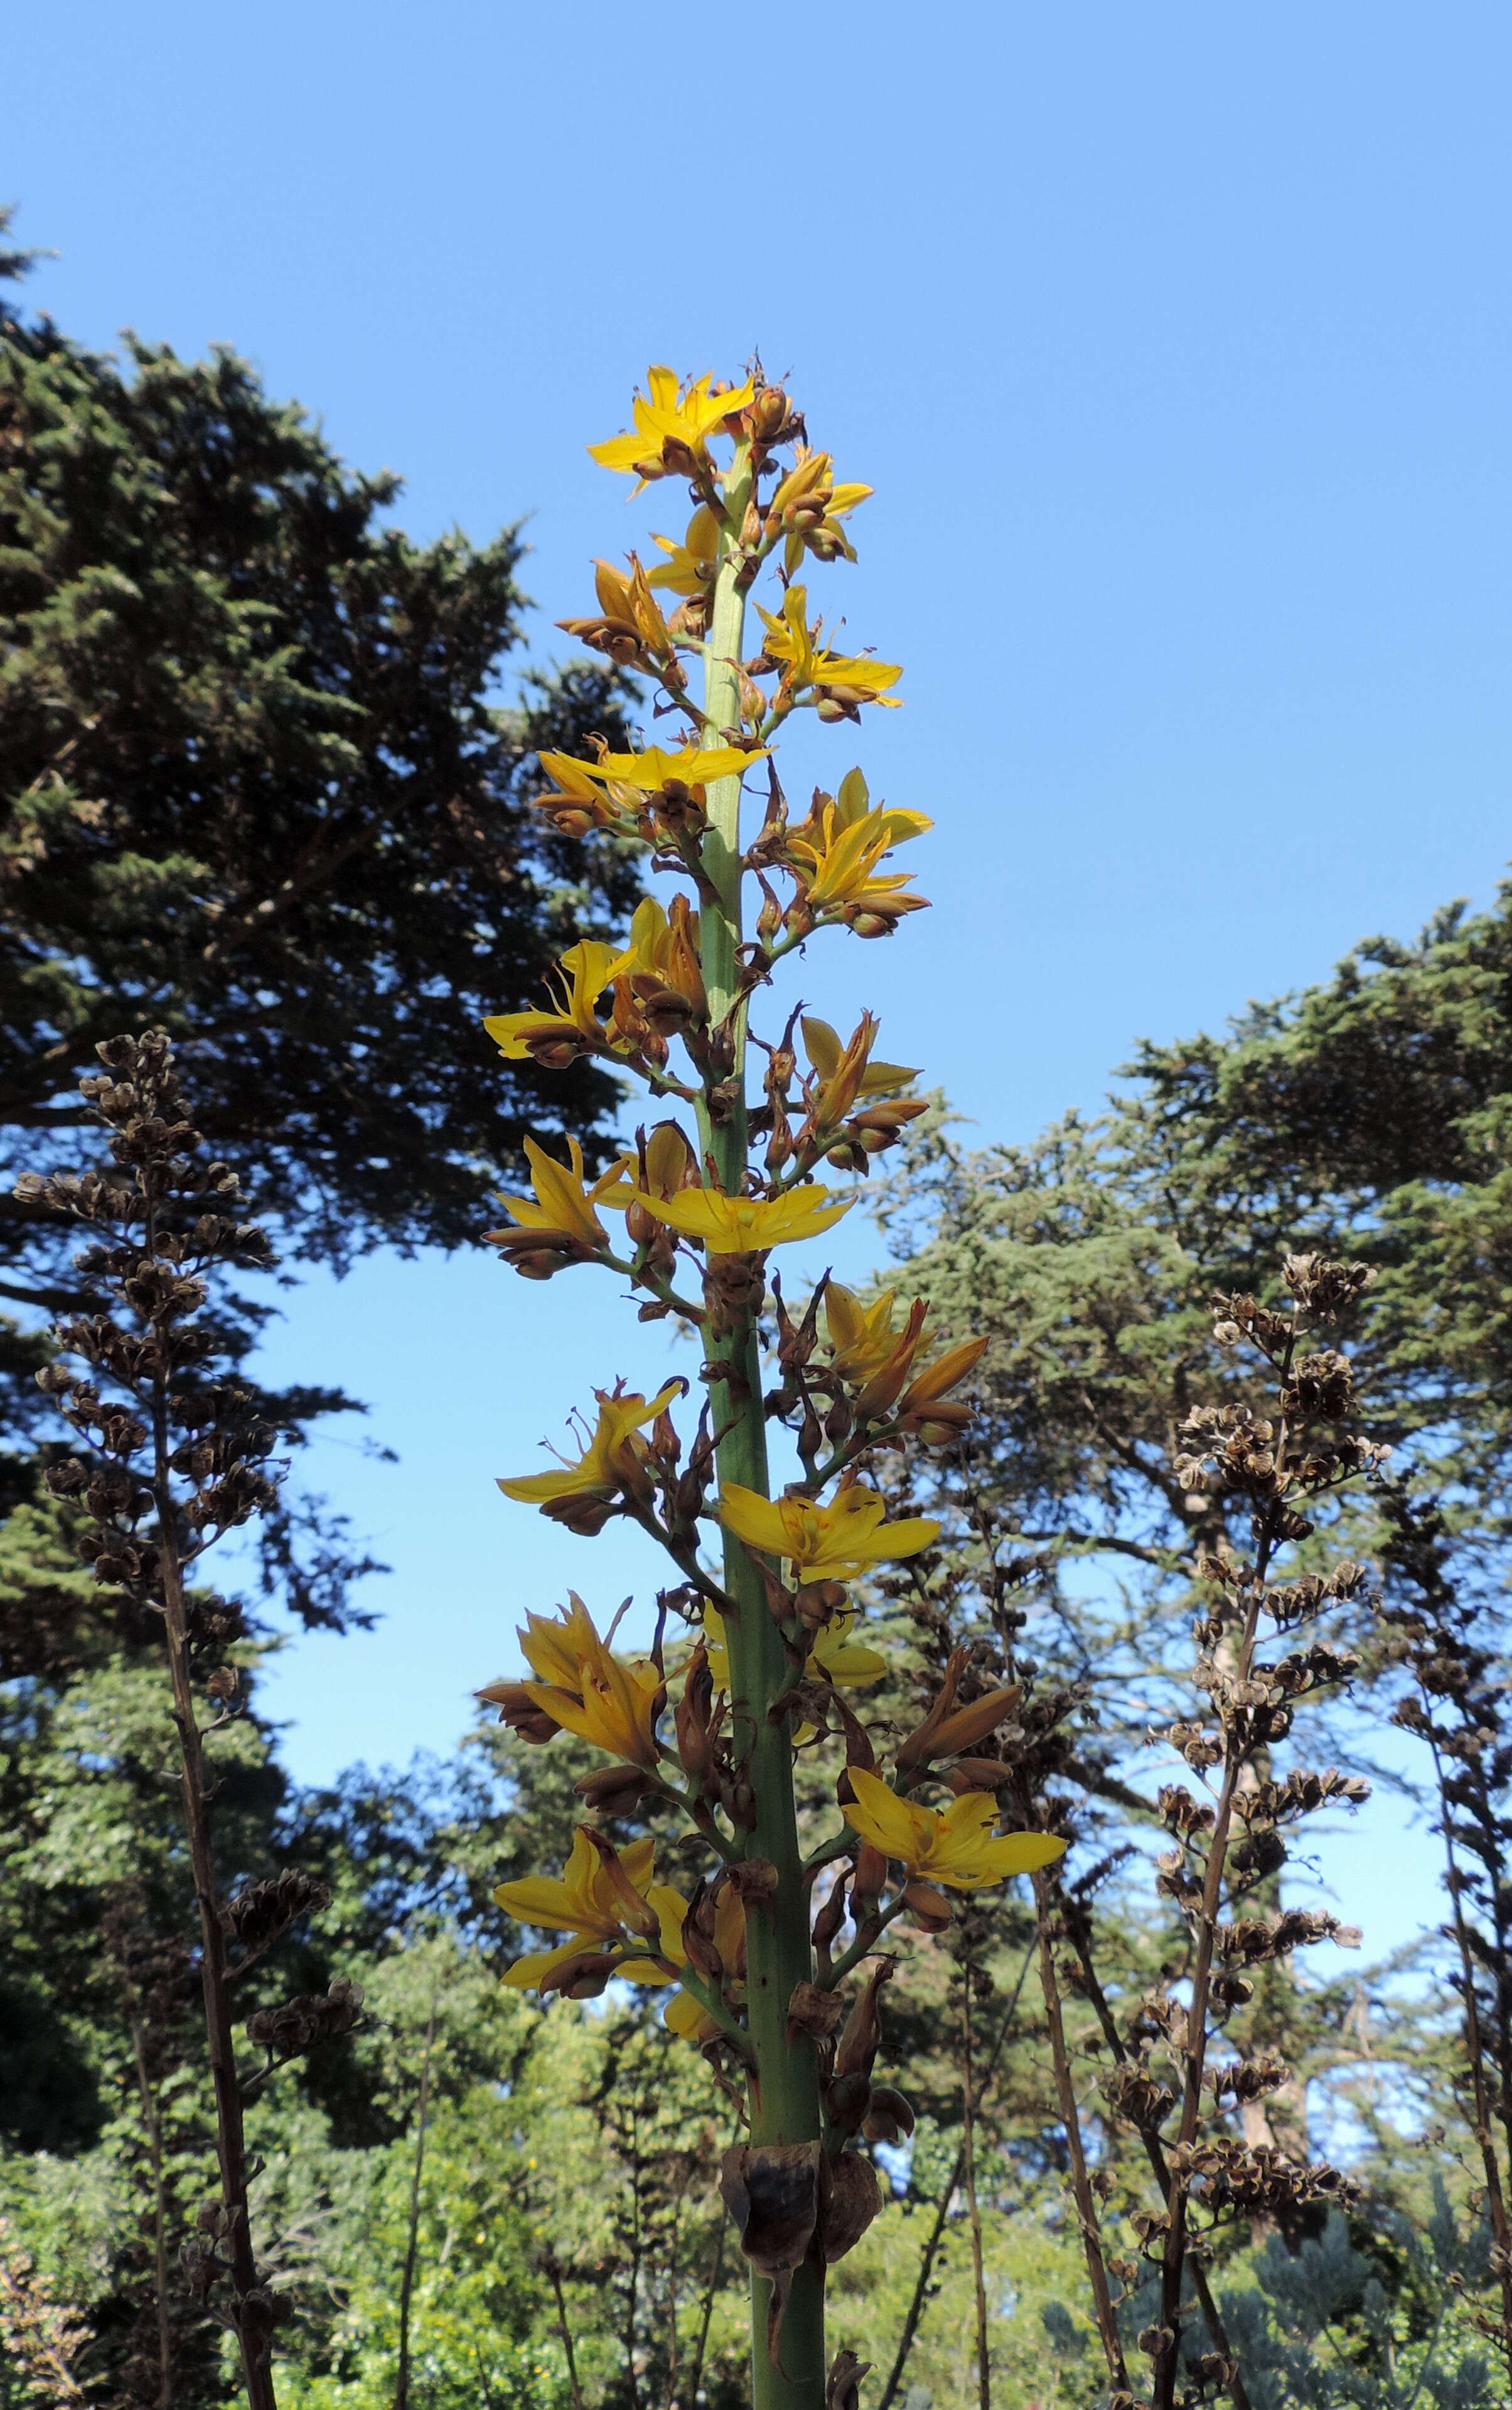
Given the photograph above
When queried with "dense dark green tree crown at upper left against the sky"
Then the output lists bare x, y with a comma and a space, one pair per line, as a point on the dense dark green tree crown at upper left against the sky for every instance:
256, 789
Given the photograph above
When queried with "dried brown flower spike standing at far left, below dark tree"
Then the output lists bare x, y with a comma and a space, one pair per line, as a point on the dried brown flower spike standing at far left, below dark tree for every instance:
172, 1457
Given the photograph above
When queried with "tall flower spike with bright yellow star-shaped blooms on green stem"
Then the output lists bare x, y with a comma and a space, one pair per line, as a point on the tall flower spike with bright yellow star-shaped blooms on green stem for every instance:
719, 1180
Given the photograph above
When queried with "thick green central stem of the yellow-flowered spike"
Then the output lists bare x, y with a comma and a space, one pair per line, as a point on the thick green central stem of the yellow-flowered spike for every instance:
779, 1956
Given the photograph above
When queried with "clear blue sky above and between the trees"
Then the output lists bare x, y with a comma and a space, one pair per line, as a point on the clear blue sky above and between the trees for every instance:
1176, 348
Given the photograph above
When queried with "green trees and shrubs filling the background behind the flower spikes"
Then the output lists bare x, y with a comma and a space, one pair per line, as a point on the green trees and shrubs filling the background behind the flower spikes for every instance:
259, 792
